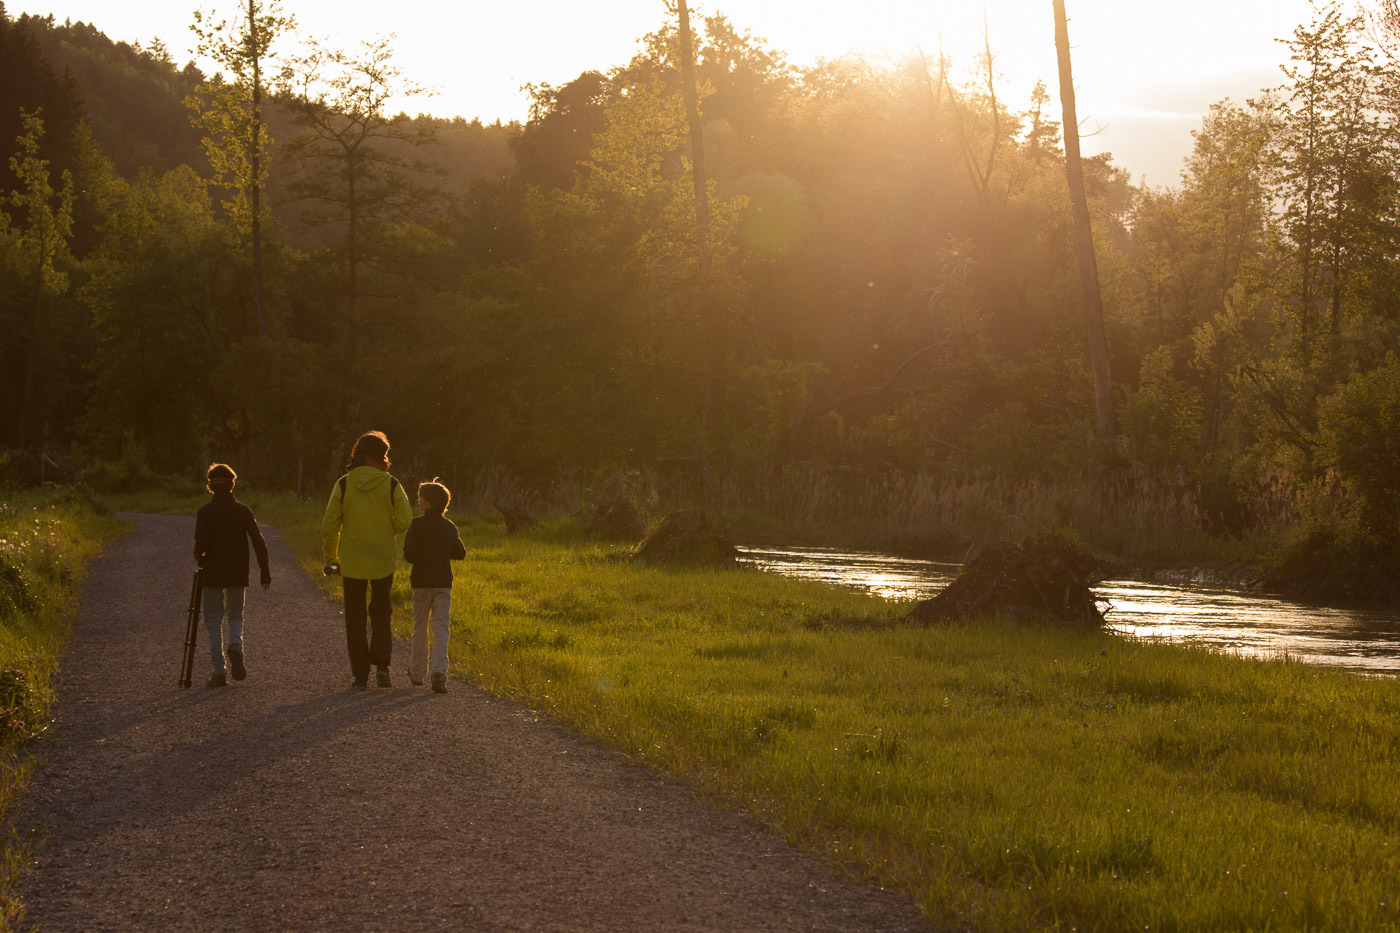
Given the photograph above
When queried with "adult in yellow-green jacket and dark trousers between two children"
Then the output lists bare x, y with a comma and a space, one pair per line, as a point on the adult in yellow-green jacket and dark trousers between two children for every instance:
369, 512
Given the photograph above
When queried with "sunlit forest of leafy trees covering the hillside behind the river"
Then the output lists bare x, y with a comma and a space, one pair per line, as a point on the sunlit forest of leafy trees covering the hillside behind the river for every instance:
881, 340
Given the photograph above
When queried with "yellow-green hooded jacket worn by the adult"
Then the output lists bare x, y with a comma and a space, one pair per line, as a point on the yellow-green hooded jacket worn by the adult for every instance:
362, 527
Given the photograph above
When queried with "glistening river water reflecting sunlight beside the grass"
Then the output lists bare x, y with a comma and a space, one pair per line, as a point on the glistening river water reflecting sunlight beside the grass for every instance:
1221, 618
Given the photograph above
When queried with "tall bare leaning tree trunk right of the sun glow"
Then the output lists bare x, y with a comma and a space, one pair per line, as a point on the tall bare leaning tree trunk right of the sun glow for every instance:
1084, 237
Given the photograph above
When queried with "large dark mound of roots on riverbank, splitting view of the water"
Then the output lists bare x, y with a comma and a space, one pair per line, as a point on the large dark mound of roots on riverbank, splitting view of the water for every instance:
1035, 581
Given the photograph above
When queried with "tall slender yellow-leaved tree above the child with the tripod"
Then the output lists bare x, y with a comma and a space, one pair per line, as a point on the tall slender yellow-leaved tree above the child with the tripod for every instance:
230, 114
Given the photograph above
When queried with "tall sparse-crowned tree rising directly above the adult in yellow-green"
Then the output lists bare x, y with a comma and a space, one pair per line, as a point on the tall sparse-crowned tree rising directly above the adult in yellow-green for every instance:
352, 158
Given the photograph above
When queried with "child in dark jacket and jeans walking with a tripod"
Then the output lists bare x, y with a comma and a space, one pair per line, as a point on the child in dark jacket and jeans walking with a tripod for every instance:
223, 529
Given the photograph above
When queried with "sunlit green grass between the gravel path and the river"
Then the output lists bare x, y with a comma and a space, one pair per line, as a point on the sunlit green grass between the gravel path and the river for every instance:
1009, 778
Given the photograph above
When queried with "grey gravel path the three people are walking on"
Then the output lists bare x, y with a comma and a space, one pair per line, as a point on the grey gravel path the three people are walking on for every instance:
288, 802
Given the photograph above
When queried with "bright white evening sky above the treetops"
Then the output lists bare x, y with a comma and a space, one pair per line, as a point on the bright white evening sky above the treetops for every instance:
1144, 72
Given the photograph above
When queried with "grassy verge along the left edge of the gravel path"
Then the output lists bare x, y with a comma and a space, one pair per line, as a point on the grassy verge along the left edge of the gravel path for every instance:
45, 540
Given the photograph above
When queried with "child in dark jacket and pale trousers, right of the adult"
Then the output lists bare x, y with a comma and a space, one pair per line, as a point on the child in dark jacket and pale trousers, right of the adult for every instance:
432, 546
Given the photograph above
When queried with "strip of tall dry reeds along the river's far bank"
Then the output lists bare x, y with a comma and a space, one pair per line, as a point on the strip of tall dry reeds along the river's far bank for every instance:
1130, 520
